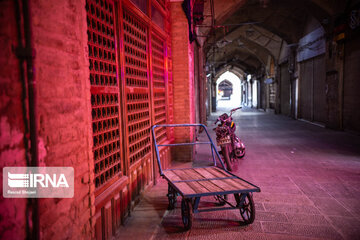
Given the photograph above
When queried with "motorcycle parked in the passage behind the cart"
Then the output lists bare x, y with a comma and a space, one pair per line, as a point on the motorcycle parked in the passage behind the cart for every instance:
232, 147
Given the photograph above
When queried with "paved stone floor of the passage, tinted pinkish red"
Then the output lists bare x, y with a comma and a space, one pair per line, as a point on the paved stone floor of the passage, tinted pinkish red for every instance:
310, 187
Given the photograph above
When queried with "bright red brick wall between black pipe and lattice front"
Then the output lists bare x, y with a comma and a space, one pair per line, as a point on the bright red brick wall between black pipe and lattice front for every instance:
60, 40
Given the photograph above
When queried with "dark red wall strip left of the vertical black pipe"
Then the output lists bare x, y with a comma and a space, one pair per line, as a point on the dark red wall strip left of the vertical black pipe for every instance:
12, 151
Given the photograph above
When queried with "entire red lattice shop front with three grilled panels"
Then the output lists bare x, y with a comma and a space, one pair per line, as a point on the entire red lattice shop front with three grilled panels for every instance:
129, 61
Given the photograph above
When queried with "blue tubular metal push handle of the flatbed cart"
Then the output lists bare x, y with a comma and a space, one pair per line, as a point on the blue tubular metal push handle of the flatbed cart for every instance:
180, 144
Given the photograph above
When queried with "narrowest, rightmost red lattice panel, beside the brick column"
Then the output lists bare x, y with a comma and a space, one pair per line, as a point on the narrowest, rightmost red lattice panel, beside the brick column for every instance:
158, 71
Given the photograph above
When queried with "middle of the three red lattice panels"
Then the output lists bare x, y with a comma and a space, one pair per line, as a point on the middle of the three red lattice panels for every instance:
137, 87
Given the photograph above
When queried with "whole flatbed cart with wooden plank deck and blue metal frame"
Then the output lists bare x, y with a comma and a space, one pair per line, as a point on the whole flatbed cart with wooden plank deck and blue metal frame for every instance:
193, 183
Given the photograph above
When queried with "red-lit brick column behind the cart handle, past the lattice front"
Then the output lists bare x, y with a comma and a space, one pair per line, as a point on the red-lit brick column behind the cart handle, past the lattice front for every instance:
183, 80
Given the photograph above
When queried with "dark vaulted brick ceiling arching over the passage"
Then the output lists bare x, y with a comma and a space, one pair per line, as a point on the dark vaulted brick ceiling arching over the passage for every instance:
247, 32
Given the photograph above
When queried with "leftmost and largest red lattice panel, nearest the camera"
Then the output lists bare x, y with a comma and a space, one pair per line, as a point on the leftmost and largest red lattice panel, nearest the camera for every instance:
104, 90
